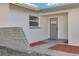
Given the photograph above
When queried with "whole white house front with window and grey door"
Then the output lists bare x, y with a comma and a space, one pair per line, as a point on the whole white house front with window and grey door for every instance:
53, 23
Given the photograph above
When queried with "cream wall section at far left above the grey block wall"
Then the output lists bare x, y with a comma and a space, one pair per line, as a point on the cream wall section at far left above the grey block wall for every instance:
4, 14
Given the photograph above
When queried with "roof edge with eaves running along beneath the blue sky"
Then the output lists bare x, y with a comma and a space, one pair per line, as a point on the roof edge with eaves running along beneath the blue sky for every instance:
28, 6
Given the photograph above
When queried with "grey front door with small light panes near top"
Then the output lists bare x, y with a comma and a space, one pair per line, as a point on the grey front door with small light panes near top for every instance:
53, 28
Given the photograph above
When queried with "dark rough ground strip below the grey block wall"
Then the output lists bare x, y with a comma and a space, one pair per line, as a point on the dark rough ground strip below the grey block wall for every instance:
10, 52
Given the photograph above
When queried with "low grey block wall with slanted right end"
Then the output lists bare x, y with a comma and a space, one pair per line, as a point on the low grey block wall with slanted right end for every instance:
13, 37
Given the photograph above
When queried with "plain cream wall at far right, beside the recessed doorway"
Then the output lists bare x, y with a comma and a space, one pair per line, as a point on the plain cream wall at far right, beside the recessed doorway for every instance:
73, 27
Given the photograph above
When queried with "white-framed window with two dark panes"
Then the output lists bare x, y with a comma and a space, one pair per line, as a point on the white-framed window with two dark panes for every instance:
33, 22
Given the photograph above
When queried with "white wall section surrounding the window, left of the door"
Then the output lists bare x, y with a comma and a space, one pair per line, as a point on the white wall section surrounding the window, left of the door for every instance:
19, 17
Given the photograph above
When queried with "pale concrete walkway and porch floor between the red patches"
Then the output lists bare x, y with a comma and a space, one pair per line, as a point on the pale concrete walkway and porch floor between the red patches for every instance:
44, 48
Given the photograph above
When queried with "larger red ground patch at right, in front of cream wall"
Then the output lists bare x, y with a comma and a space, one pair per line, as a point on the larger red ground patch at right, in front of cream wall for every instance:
65, 48
